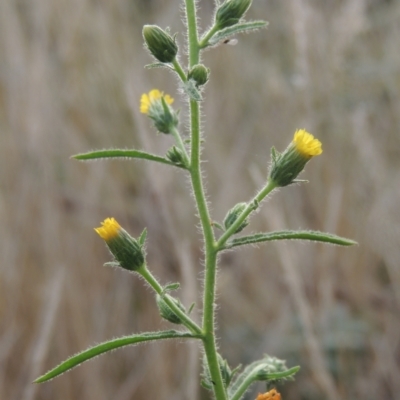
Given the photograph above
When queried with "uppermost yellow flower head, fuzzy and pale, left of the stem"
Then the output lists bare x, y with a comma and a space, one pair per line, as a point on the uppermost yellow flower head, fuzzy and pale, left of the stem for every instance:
157, 106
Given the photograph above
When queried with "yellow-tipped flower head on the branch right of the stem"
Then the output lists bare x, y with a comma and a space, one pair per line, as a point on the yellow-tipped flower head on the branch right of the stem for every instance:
287, 166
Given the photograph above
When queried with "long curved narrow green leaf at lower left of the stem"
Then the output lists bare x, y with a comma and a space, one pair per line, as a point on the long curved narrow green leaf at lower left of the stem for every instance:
108, 346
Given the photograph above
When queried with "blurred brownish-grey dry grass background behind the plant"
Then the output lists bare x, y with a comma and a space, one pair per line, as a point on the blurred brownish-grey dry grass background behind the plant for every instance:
71, 76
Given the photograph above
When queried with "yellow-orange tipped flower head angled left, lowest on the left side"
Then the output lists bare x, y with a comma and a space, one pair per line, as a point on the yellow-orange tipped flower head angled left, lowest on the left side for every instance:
125, 249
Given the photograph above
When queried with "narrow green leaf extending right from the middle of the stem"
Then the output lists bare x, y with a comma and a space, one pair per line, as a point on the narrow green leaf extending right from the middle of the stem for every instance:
315, 236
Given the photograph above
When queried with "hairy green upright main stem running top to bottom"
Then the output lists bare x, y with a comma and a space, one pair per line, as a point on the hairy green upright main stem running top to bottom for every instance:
209, 342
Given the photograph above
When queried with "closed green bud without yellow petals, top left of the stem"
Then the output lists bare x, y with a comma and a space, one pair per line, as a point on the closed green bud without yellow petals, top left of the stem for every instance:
160, 44
